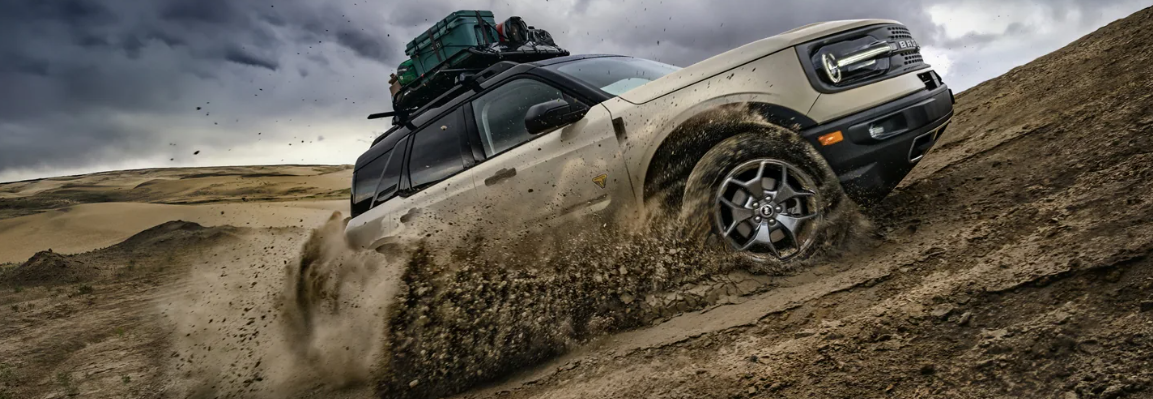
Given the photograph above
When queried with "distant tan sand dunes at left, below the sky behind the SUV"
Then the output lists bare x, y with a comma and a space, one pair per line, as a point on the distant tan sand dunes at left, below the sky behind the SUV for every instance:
79, 214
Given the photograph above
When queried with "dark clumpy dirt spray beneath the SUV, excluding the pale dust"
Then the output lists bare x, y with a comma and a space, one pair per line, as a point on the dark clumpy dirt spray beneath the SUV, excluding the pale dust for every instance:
470, 315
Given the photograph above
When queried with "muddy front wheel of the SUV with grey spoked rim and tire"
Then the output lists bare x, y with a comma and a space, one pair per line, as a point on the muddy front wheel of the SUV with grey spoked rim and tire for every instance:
765, 197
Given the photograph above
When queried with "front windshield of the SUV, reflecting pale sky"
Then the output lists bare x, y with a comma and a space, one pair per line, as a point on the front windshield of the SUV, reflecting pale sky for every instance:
615, 76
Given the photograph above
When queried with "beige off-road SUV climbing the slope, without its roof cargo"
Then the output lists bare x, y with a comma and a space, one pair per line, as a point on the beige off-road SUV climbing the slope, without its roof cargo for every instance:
755, 145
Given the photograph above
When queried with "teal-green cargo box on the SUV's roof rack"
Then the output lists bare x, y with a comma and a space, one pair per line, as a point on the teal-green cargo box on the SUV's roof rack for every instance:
447, 43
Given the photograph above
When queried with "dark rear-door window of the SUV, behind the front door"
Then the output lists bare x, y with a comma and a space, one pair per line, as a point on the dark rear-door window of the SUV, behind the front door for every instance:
436, 150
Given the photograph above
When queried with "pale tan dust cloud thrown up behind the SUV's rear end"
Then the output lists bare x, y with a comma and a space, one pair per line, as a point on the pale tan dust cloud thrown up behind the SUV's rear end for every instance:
281, 317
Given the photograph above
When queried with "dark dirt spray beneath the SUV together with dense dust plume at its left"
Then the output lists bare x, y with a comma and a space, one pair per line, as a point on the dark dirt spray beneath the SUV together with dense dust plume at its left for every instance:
434, 320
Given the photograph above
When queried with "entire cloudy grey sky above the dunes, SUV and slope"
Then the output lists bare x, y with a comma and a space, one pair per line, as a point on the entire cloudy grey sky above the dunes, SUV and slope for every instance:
91, 86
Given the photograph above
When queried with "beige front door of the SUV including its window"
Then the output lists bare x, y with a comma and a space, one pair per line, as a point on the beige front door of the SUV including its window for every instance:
542, 179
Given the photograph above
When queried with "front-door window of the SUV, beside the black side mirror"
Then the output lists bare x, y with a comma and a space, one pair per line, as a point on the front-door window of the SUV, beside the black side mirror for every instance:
501, 114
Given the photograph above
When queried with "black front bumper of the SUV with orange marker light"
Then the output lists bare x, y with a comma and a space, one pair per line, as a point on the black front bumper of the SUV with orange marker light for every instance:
869, 168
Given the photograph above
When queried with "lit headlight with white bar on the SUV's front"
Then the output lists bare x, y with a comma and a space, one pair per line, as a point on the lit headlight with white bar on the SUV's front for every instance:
854, 61
